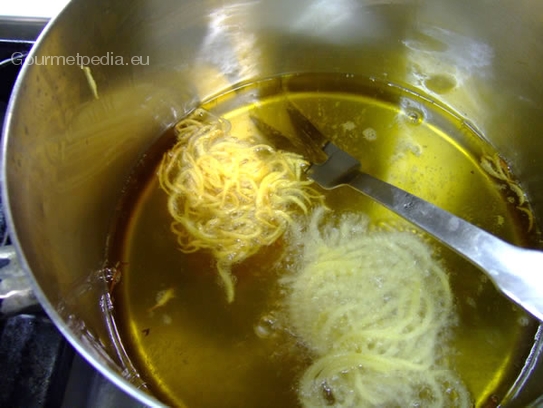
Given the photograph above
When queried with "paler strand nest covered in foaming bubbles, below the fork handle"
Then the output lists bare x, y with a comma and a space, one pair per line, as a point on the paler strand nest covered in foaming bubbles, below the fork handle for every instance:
374, 308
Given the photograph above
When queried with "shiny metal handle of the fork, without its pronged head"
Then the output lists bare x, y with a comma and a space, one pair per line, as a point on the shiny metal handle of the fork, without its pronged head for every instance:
516, 271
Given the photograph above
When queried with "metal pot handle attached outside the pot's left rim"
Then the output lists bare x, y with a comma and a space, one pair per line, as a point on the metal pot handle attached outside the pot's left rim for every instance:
16, 294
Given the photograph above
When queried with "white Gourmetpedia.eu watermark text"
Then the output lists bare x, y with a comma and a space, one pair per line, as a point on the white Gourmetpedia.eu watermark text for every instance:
79, 60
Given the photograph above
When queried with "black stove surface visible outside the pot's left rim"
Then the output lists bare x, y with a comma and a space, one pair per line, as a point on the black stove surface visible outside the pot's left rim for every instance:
38, 367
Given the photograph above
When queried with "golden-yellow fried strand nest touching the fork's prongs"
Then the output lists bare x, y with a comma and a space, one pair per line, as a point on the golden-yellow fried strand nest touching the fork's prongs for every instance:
230, 195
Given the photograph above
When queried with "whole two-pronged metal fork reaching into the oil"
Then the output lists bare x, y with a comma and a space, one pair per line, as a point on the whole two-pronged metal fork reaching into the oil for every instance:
515, 271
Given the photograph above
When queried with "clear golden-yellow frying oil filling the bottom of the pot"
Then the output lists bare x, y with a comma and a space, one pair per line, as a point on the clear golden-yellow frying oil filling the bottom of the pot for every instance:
194, 349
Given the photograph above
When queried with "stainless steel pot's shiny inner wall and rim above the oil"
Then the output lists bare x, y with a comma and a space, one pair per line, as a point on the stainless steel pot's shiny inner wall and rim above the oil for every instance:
73, 134
